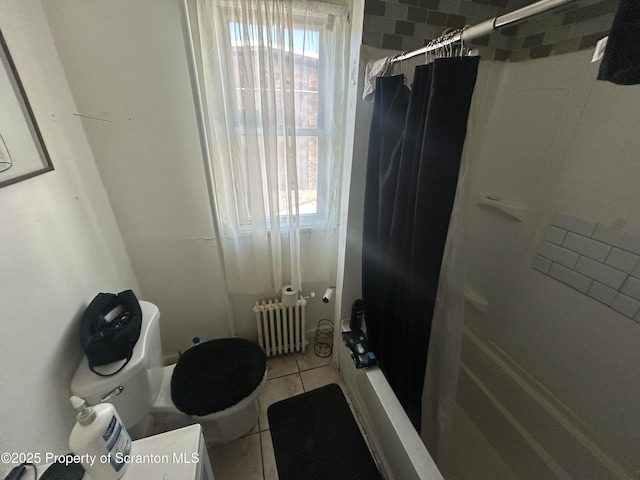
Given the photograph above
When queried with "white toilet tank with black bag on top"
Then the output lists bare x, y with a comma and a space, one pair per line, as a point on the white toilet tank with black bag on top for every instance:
133, 390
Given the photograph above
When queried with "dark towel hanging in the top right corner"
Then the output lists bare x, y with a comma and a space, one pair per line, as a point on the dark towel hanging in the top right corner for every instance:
621, 61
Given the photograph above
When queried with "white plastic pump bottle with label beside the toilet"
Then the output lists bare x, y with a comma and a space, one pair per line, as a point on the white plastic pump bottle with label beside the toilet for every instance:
100, 439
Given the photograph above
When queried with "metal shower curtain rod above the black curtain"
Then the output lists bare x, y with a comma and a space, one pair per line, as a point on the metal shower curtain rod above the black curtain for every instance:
486, 27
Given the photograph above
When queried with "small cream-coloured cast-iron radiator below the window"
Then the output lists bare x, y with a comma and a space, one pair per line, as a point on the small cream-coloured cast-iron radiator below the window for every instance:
281, 329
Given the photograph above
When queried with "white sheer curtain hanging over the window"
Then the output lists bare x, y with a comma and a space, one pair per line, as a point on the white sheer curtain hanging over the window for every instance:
274, 75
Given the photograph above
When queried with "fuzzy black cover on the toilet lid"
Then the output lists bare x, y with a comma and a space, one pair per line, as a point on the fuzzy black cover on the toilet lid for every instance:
216, 375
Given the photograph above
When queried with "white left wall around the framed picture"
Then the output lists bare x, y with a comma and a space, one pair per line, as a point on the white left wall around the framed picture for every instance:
60, 246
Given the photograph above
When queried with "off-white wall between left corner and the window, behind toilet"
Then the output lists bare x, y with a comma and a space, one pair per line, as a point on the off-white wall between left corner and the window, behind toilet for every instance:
127, 68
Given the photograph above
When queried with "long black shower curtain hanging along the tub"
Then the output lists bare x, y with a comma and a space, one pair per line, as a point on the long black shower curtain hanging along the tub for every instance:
415, 147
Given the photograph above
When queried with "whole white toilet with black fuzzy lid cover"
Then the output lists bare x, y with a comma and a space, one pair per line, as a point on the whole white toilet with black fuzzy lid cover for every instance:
216, 384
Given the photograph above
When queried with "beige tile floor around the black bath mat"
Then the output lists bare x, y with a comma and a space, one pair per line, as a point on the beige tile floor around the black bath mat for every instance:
251, 457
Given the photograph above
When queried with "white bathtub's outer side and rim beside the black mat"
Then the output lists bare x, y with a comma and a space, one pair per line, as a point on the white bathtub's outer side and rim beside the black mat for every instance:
395, 444
